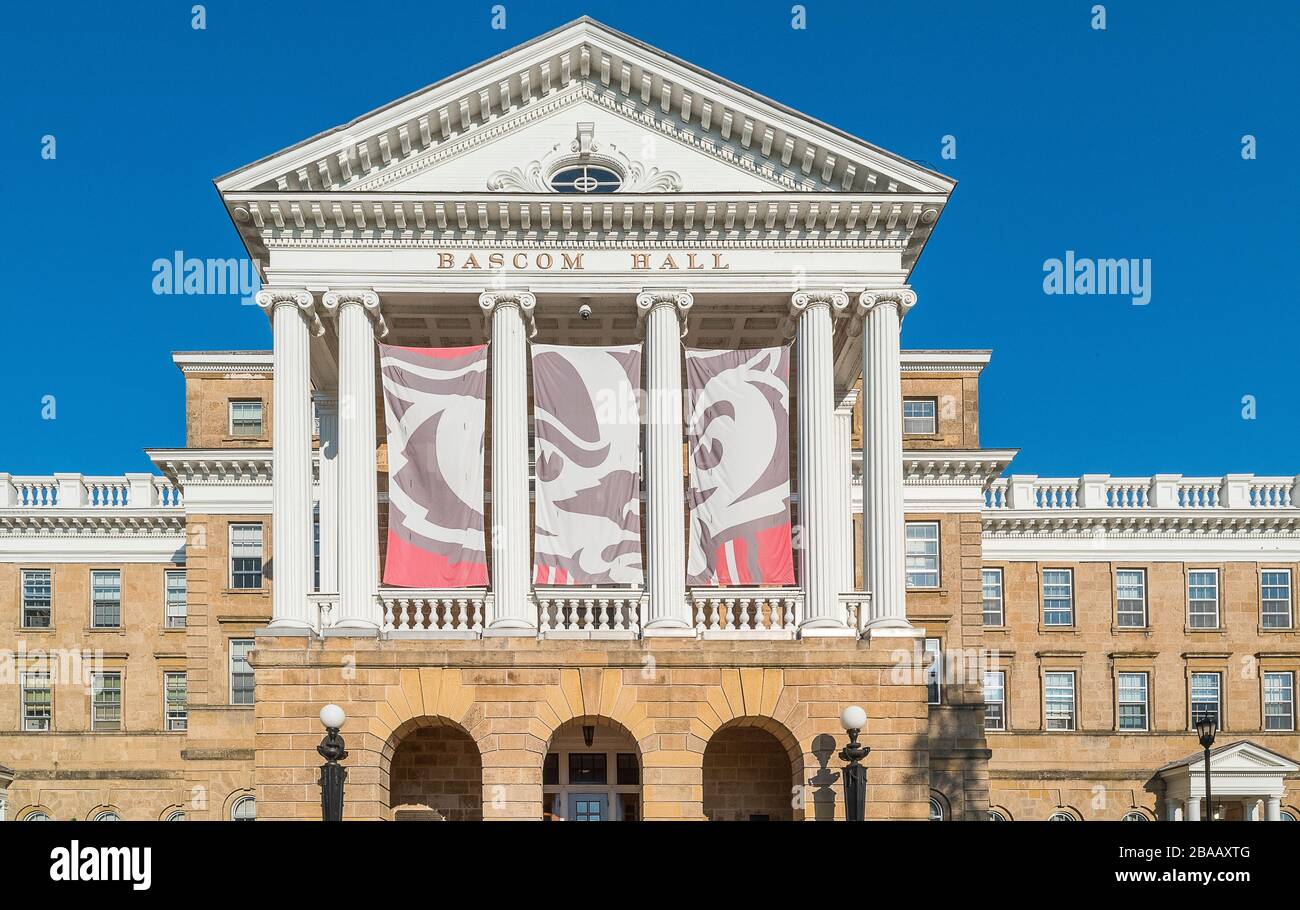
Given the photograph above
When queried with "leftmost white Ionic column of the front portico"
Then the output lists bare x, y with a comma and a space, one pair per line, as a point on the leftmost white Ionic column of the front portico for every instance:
292, 311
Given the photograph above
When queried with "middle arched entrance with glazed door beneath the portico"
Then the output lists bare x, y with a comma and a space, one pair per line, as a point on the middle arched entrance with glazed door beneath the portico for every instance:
592, 773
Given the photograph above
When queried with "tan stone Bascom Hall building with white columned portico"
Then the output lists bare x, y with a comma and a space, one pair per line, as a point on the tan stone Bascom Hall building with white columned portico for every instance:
1025, 648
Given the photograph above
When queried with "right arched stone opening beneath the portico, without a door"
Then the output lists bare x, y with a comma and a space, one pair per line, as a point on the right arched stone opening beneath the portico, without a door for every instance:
749, 777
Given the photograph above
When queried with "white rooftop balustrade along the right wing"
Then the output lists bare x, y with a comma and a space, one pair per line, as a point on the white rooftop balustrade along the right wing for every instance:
1162, 492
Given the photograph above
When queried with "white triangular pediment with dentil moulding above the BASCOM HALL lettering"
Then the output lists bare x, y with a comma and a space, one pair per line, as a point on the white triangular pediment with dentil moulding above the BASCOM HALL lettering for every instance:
673, 122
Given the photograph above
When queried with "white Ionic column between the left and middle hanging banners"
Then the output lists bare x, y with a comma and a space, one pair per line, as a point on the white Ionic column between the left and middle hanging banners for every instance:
510, 315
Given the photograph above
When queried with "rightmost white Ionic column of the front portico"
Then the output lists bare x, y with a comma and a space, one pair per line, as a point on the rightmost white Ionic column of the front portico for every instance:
882, 456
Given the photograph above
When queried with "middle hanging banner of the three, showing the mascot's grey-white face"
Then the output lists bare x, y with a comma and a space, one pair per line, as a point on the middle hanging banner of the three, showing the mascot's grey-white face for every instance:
588, 427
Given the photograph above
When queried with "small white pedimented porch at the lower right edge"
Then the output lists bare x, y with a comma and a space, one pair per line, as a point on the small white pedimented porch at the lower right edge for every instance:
1242, 774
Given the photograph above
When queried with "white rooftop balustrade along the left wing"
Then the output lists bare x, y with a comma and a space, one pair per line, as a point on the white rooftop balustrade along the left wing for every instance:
77, 492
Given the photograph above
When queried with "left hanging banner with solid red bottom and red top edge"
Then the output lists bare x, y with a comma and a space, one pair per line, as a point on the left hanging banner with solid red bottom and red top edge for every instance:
435, 404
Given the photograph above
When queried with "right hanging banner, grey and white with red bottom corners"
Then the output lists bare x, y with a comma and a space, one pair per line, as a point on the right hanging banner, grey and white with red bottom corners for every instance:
739, 450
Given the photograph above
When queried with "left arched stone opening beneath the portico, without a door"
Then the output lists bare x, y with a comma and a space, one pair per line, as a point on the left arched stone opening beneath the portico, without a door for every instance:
436, 774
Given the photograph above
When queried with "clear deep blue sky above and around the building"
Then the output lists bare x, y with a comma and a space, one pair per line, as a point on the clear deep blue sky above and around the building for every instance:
1117, 144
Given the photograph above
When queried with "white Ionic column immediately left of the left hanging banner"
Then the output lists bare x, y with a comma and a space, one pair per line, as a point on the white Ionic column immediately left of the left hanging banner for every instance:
359, 322
